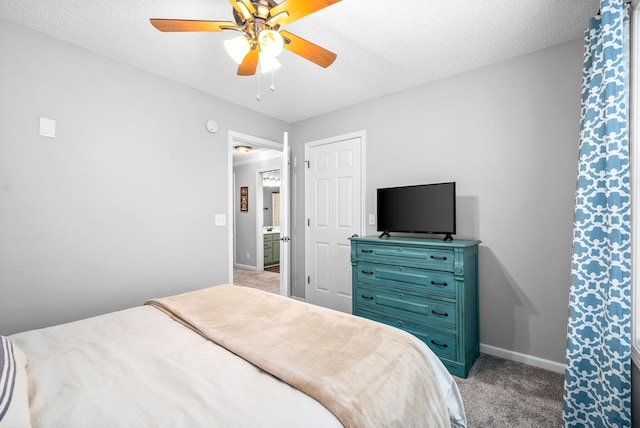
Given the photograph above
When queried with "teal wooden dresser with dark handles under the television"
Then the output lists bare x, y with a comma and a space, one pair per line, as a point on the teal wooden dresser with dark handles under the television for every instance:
426, 287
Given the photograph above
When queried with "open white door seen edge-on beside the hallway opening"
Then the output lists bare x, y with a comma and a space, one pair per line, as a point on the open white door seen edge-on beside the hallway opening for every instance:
285, 240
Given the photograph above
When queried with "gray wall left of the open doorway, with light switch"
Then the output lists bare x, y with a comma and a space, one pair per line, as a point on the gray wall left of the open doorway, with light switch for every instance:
120, 206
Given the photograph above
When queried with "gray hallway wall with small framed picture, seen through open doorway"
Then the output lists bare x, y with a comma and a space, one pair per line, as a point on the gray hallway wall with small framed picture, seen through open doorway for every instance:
245, 242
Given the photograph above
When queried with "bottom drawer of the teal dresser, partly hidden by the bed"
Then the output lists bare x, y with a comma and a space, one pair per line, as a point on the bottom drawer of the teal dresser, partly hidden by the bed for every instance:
443, 344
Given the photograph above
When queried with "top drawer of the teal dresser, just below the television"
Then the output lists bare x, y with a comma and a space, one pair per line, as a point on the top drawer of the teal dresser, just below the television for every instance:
430, 258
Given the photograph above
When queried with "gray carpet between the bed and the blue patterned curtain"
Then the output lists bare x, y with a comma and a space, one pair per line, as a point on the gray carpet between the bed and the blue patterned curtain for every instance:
504, 393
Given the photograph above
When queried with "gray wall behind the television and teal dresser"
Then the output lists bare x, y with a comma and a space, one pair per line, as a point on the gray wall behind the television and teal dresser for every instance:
507, 134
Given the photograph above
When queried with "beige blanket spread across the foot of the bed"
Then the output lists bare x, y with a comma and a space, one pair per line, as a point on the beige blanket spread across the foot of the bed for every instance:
366, 373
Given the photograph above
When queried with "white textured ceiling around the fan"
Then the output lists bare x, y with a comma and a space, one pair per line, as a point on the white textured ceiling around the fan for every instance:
382, 46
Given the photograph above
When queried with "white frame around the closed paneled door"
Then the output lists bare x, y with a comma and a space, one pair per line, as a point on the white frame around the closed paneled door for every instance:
363, 193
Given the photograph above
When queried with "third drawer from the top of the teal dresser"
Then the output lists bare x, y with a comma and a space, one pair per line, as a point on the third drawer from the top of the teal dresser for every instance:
403, 305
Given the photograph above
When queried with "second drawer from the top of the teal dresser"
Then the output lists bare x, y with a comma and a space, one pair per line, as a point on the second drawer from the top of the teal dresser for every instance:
441, 283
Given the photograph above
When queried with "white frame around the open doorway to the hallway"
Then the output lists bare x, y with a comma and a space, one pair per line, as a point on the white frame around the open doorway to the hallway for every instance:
237, 138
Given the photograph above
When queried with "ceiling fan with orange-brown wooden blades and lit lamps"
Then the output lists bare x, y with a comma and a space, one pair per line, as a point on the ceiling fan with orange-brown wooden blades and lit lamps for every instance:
263, 40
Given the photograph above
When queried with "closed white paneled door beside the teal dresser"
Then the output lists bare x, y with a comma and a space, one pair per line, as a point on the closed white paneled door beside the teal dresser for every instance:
334, 212
